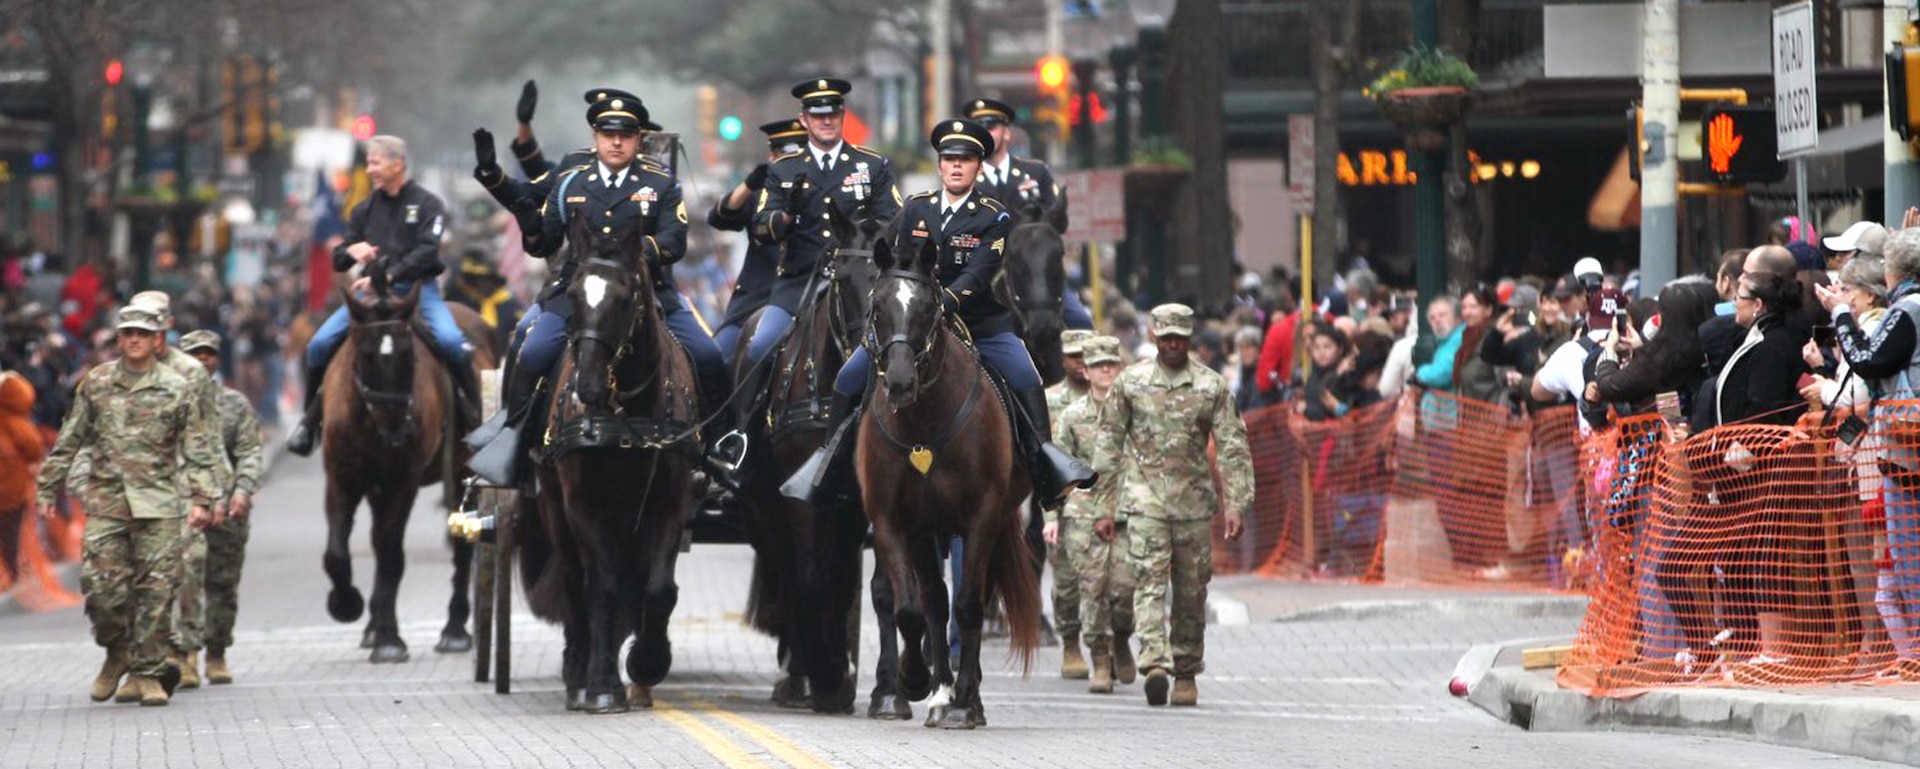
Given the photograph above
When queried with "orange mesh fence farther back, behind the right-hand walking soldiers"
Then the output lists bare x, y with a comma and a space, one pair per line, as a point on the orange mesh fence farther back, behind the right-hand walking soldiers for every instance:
1429, 490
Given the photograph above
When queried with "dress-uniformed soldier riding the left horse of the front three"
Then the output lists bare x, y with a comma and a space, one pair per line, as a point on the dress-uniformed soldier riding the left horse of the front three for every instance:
617, 189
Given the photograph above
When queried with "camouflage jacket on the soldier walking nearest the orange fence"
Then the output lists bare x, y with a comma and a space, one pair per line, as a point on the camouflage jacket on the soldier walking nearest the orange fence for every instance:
1159, 425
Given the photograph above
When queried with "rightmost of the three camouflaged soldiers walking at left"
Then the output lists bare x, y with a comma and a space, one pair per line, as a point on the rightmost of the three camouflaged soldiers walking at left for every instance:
226, 546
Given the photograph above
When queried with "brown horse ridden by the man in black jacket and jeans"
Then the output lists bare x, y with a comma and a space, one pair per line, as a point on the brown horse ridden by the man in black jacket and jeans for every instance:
383, 440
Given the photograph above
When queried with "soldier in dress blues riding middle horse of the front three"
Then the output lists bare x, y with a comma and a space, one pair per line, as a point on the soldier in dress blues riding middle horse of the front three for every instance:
804, 191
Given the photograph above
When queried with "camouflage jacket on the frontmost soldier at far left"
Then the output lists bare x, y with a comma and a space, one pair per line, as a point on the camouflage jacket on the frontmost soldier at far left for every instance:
147, 444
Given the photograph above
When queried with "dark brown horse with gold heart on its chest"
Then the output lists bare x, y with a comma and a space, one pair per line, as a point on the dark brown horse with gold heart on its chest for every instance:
936, 459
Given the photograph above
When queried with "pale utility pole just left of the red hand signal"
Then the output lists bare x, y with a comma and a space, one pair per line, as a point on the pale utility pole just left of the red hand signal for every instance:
1660, 170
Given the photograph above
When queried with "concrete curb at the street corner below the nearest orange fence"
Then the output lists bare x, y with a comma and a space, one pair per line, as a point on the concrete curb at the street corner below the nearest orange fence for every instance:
1863, 726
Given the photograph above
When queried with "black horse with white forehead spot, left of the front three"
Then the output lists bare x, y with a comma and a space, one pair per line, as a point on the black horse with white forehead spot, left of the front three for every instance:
615, 478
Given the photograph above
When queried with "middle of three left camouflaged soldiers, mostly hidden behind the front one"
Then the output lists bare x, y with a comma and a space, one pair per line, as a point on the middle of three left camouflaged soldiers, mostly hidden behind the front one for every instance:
189, 620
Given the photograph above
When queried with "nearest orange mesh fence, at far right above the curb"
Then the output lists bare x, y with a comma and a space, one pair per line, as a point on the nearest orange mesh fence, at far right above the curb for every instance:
1756, 557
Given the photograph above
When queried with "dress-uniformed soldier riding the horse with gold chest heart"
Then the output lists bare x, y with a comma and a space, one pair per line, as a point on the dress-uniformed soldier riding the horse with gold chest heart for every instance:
971, 233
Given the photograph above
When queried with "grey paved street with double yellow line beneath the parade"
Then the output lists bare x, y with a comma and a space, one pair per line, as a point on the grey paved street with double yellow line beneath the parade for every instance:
1345, 691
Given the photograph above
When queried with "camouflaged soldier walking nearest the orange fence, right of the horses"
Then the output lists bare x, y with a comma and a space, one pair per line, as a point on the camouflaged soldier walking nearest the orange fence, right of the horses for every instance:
1159, 421
